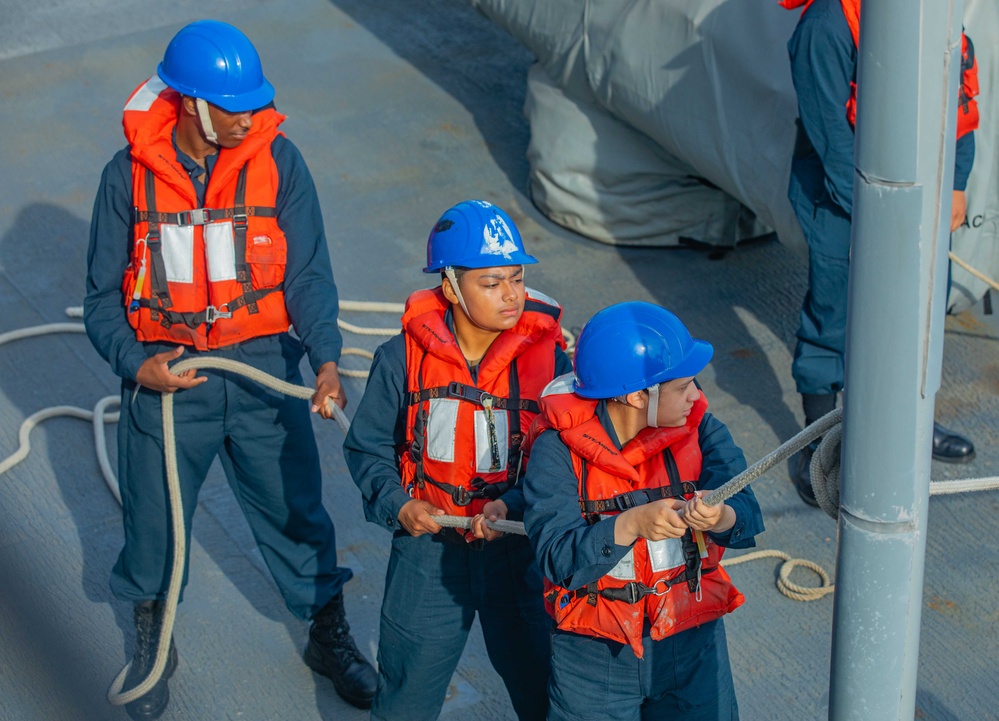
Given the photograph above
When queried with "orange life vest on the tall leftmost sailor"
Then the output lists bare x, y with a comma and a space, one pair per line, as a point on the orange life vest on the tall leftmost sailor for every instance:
202, 276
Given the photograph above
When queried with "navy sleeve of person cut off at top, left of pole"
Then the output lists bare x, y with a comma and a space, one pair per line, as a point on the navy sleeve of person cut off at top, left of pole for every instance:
823, 64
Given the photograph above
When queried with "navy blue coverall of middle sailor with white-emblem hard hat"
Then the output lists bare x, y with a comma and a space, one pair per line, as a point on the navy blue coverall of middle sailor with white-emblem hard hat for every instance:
436, 583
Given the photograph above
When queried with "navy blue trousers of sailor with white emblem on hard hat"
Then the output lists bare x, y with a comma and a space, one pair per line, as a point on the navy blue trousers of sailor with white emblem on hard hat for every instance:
433, 589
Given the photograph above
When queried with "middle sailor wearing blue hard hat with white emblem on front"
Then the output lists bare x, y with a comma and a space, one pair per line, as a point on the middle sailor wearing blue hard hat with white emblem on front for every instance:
439, 431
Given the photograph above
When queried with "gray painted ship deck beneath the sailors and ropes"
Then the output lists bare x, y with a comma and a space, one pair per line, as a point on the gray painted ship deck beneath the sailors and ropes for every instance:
400, 112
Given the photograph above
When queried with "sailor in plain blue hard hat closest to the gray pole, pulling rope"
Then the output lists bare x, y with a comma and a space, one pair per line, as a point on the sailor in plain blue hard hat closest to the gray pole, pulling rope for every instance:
621, 454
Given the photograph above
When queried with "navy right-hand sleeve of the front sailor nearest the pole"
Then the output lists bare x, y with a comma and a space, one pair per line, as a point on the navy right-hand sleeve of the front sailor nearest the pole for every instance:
721, 461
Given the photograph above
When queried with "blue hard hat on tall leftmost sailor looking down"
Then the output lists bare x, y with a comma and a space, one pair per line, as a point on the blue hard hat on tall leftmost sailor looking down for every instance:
214, 61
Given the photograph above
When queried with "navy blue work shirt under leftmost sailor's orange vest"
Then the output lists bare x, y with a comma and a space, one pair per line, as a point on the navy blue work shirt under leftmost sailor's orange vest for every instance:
310, 293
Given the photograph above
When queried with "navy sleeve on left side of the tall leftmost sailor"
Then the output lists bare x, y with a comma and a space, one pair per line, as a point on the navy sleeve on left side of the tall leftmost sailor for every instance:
107, 256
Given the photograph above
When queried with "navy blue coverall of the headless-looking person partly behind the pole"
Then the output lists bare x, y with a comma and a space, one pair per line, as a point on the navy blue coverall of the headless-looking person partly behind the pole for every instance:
823, 64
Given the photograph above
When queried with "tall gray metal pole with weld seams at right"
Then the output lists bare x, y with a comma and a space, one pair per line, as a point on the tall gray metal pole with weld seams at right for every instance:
908, 64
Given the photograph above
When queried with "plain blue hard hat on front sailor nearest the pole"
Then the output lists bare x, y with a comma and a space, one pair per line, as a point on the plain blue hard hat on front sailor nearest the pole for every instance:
632, 346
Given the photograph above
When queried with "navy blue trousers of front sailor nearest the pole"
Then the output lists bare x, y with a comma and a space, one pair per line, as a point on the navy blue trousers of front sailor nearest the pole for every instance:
686, 677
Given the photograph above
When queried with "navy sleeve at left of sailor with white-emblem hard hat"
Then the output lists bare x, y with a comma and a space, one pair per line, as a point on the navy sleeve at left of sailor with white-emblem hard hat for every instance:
376, 431
